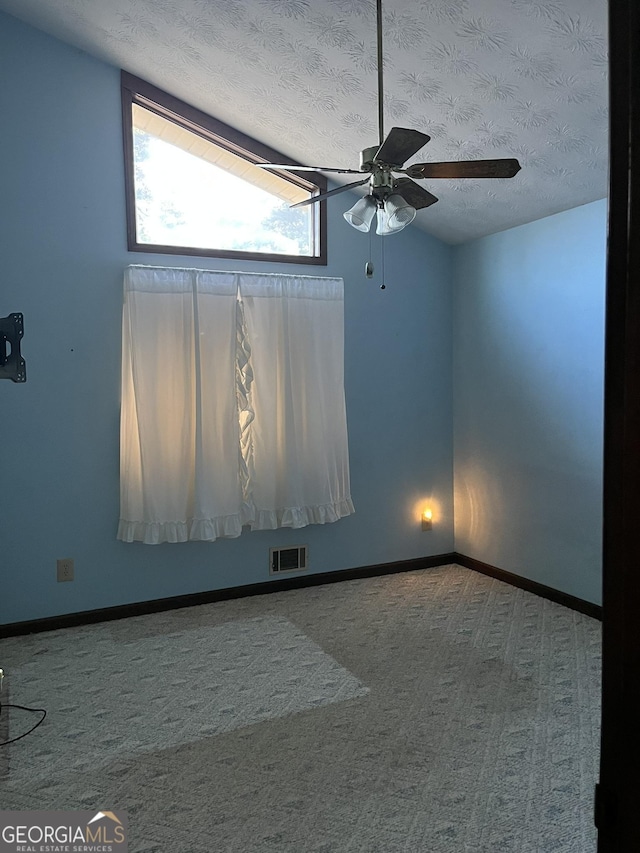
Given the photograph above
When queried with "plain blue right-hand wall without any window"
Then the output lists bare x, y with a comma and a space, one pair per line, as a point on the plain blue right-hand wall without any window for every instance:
528, 399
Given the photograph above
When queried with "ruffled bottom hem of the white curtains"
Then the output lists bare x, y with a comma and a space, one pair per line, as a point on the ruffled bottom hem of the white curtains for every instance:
230, 527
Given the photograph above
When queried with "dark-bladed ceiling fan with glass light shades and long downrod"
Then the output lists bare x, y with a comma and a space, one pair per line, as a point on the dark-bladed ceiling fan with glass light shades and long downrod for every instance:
396, 200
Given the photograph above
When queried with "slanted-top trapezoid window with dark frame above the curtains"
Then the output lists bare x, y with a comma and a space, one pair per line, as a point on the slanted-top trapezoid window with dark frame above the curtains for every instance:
193, 187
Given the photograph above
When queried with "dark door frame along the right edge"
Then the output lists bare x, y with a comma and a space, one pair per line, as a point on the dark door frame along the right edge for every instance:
618, 800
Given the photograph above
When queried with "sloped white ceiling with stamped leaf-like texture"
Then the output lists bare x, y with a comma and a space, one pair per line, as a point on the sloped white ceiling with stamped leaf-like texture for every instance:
484, 78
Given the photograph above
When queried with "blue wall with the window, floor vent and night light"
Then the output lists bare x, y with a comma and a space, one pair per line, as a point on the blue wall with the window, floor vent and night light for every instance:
63, 249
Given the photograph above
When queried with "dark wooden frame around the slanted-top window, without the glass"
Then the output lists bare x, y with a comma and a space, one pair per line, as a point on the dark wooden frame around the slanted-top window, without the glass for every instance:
137, 91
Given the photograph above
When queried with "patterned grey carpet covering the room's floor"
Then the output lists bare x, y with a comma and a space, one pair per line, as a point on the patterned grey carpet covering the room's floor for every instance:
437, 711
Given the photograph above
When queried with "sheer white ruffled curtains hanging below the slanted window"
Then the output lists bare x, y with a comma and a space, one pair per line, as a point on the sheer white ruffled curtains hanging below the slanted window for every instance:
233, 407
